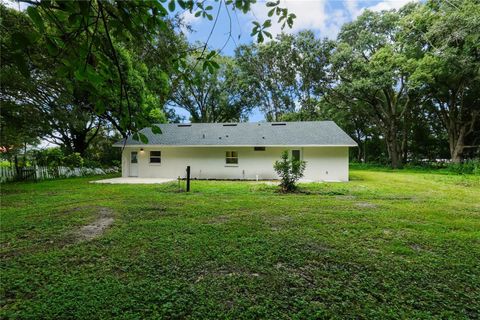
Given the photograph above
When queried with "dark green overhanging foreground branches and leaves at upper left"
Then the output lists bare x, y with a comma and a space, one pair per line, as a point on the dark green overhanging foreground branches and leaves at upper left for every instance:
88, 39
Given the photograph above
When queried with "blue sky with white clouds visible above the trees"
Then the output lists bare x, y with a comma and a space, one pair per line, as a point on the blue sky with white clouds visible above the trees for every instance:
325, 18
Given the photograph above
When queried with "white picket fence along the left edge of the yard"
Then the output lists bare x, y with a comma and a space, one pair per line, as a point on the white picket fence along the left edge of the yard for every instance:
44, 173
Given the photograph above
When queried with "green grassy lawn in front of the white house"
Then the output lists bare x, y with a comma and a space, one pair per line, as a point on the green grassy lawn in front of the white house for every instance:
385, 245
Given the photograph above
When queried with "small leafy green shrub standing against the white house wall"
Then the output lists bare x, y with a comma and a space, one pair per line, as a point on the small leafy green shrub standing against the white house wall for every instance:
290, 171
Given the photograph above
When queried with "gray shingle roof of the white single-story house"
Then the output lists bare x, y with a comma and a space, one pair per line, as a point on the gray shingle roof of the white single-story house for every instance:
247, 134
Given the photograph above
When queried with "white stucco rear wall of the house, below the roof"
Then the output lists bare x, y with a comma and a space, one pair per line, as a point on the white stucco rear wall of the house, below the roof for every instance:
323, 163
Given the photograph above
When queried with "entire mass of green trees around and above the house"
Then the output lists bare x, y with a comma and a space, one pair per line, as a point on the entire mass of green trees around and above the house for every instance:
405, 84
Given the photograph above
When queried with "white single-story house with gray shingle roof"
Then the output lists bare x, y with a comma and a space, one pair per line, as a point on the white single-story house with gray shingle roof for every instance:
237, 150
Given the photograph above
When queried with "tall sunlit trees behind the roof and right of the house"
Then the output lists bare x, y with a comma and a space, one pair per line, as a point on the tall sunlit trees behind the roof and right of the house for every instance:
405, 84
